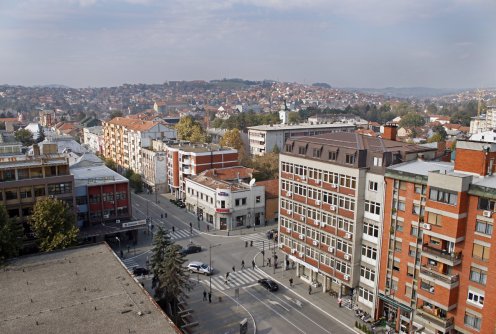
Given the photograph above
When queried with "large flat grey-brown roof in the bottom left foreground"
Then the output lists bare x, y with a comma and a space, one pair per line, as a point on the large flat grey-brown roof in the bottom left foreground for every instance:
80, 290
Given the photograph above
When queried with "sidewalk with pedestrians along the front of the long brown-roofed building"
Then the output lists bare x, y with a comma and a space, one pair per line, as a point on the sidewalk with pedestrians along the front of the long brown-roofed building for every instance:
319, 299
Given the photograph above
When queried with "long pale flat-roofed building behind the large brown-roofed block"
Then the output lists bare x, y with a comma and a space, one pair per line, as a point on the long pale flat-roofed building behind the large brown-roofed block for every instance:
263, 138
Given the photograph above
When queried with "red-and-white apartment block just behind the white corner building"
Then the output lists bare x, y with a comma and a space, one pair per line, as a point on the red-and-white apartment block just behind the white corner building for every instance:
185, 159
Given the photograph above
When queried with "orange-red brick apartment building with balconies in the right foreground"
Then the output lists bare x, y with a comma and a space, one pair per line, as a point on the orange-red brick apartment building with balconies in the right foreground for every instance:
438, 256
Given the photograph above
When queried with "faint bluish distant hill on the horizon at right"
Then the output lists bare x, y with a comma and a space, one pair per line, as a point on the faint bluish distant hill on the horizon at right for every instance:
408, 92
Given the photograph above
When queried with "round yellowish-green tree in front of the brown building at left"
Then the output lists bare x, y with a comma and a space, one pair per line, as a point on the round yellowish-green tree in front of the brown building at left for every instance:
54, 224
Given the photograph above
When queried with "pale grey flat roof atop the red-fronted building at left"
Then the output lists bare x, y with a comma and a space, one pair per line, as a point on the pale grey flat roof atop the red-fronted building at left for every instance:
94, 175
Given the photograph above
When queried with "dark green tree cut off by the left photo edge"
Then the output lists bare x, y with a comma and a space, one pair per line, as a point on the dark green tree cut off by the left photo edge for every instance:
11, 236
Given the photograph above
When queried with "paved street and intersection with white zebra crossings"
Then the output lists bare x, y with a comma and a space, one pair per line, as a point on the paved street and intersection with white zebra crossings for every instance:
289, 310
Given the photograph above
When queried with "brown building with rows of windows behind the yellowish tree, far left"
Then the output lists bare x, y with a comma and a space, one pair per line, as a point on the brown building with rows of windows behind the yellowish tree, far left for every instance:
25, 178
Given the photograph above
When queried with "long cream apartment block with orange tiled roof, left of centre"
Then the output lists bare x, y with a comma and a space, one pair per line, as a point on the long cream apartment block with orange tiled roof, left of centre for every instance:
125, 137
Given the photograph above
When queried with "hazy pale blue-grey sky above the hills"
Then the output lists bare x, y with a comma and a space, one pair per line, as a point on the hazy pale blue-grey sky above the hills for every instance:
346, 43
